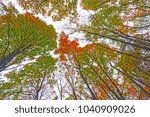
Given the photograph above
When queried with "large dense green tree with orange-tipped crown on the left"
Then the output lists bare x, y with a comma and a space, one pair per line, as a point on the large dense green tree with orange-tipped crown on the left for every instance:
23, 36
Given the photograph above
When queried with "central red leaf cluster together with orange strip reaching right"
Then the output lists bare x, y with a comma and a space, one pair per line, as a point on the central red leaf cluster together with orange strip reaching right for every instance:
71, 47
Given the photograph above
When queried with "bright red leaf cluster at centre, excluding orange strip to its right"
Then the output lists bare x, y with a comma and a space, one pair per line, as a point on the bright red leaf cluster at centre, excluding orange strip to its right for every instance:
66, 46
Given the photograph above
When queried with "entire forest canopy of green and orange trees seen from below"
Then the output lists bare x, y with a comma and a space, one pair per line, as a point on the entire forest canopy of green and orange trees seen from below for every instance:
110, 61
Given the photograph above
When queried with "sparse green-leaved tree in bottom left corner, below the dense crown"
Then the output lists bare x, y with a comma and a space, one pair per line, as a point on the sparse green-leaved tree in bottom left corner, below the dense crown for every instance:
33, 82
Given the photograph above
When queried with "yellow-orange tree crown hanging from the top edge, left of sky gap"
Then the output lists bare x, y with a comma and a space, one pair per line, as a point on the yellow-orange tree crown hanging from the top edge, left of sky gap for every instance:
58, 9
